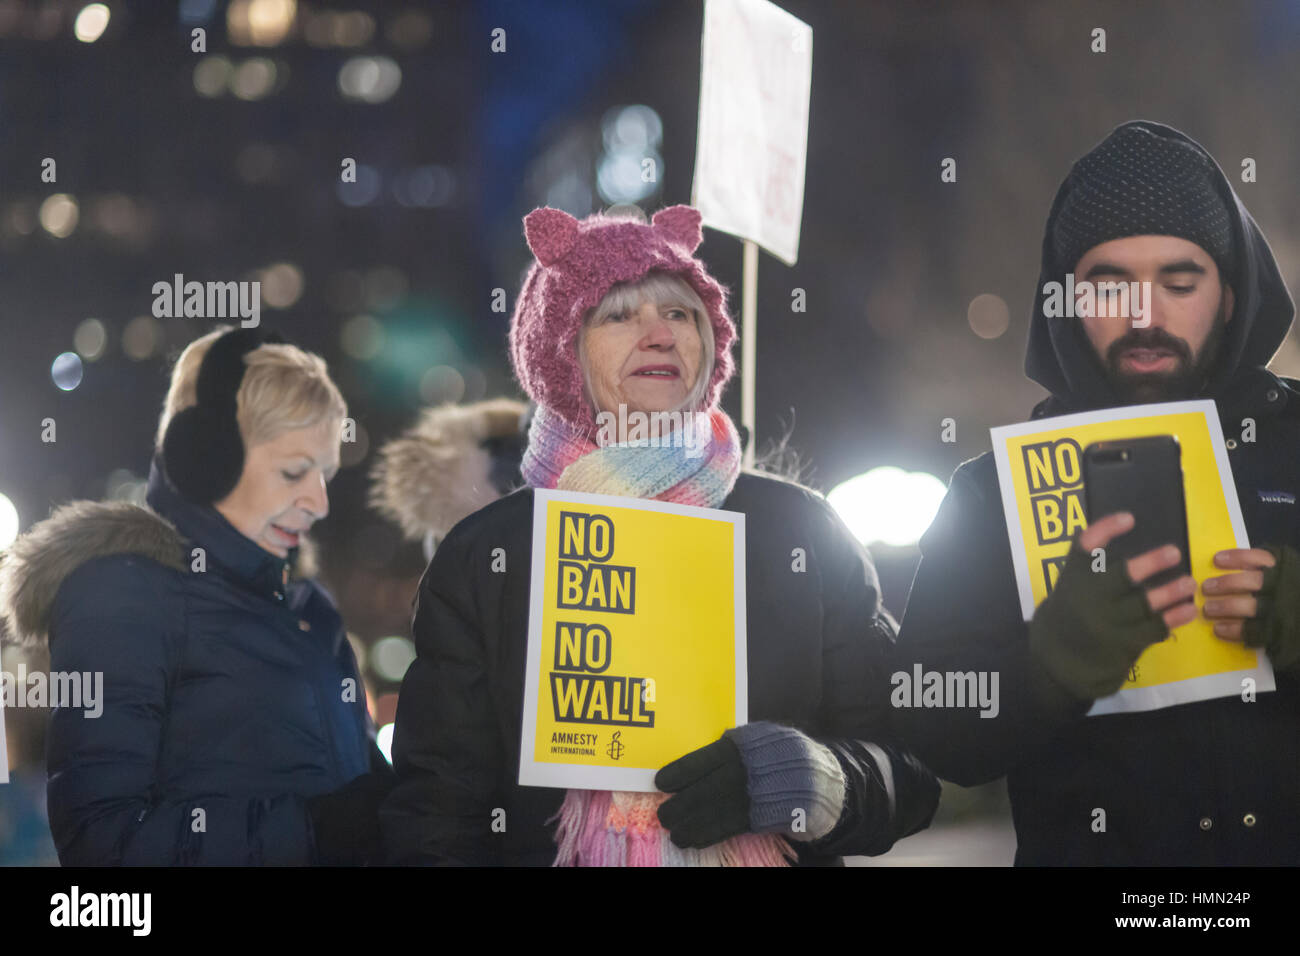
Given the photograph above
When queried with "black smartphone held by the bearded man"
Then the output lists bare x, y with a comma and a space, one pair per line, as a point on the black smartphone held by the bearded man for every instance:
1143, 477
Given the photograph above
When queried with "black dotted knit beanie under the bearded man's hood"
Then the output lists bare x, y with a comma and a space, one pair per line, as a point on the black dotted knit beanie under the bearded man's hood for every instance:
1138, 184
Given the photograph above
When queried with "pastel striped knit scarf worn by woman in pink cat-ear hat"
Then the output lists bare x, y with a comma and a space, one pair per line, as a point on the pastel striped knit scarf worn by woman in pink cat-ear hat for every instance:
622, 829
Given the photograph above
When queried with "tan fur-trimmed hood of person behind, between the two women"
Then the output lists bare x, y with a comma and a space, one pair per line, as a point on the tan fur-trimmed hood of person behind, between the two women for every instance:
452, 462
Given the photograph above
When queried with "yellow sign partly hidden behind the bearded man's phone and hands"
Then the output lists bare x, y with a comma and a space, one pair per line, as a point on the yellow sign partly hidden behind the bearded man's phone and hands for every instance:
1041, 473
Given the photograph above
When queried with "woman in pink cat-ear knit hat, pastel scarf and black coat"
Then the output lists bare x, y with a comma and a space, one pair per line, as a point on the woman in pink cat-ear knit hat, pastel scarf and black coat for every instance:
618, 319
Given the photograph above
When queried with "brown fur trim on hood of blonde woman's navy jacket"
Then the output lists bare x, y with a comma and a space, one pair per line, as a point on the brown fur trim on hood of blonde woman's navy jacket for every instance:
38, 563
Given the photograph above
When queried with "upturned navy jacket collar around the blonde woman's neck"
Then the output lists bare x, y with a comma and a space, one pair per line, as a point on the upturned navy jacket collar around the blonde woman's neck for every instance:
206, 527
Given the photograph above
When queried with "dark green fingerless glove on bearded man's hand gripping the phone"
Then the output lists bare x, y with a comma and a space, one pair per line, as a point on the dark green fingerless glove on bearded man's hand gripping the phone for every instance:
1091, 629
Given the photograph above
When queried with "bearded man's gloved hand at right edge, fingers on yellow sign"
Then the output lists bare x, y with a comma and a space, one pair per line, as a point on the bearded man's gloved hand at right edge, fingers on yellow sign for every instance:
1260, 603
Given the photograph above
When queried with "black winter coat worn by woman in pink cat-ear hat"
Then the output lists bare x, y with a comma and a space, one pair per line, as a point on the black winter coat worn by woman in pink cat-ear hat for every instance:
817, 661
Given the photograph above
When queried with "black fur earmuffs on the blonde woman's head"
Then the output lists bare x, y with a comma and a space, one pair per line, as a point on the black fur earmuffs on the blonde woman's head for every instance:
202, 451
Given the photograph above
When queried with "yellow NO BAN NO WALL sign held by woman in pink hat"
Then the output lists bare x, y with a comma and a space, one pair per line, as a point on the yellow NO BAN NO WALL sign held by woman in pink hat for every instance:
636, 638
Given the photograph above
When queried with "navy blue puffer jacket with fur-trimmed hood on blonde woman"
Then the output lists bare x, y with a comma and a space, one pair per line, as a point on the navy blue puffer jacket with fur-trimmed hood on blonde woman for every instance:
231, 695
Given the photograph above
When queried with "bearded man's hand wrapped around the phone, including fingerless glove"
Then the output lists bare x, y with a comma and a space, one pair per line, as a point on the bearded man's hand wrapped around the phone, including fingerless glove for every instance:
1095, 625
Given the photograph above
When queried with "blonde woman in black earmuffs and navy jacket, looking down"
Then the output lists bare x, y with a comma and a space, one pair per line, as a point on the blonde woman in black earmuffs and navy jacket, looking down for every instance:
235, 728
